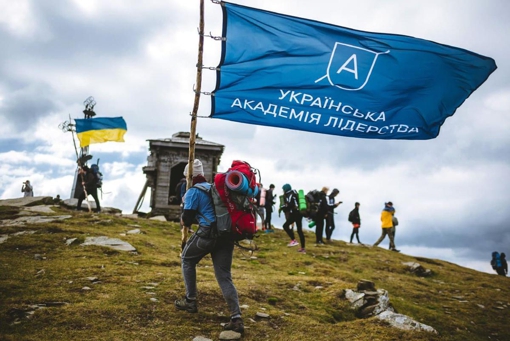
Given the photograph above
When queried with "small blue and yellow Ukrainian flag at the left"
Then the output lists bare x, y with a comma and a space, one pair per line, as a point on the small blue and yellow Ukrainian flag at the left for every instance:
100, 129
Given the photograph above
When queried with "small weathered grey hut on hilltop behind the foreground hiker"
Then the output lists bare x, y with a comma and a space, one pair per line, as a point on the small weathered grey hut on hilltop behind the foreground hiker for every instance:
165, 167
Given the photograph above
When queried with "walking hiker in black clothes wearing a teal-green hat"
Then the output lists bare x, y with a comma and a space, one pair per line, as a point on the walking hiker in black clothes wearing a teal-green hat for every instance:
293, 215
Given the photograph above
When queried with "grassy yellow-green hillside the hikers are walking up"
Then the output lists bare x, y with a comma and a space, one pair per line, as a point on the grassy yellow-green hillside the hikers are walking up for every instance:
131, 295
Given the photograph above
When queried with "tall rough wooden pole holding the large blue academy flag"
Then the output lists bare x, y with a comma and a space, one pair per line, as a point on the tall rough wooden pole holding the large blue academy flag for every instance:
193, 128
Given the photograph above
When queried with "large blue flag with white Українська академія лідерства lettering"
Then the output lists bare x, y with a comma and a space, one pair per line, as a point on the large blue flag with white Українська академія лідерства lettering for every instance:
283, 71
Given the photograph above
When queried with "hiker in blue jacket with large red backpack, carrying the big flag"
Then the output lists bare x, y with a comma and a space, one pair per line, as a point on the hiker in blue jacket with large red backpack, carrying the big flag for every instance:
225, 213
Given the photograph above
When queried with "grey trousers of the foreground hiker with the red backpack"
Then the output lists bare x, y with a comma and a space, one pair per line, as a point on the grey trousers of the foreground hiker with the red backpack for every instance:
221, 251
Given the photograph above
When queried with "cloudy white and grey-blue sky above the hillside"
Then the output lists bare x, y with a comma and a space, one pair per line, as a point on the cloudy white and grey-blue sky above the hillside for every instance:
138, 60
